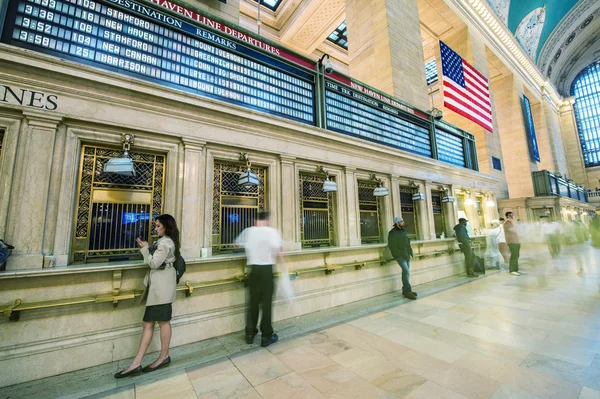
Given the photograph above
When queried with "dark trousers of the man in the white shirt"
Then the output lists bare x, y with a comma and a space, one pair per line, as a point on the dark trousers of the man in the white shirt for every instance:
261, 287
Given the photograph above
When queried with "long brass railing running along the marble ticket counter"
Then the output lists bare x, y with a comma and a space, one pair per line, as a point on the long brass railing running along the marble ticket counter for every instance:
13, 311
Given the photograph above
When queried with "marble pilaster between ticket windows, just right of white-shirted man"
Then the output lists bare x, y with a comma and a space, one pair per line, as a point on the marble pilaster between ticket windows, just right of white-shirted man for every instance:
289, 204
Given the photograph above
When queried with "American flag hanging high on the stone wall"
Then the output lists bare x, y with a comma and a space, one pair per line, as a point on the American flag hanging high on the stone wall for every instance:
466, 91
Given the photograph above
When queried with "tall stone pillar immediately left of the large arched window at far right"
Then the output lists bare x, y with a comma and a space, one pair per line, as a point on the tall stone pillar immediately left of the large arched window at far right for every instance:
572, 144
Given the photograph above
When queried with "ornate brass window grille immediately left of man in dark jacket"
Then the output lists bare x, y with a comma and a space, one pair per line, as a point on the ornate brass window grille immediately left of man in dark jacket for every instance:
370, 221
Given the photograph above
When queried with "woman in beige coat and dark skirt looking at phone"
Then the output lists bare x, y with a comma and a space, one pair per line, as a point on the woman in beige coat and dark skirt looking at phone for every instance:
160, 282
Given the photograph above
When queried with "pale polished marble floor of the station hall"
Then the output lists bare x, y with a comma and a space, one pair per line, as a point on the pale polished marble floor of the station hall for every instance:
501, 336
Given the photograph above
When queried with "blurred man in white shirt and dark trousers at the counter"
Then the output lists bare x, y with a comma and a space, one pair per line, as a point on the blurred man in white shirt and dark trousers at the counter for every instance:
263, 246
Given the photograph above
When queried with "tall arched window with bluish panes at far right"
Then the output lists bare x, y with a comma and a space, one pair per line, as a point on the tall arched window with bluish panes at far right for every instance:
586, 90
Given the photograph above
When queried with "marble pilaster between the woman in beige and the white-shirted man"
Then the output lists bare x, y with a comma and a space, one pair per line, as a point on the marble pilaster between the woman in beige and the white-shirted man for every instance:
193, 202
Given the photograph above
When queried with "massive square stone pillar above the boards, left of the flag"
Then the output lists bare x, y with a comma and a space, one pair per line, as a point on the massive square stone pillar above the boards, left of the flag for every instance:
385, 48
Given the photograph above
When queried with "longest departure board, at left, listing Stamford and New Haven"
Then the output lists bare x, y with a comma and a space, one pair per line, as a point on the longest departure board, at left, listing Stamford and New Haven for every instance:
134, 39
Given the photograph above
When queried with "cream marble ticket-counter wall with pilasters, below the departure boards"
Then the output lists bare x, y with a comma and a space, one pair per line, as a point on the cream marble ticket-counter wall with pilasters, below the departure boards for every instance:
39, 177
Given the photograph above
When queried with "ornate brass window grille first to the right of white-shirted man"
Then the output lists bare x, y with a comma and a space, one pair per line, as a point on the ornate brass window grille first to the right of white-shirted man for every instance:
316, 212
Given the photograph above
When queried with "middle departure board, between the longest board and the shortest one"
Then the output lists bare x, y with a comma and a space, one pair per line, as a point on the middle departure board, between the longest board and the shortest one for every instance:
356, 114
